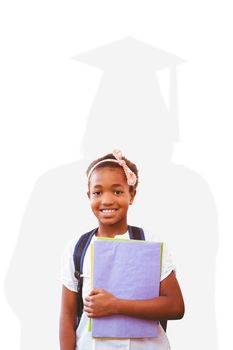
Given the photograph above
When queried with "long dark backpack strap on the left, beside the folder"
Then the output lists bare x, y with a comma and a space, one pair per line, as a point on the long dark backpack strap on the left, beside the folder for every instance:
78, 257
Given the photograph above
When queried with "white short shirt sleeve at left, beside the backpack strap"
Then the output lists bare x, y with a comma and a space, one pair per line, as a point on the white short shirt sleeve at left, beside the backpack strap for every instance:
67, 268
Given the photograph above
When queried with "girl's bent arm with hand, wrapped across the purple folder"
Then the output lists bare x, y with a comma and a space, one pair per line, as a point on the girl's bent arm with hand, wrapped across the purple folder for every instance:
168, 306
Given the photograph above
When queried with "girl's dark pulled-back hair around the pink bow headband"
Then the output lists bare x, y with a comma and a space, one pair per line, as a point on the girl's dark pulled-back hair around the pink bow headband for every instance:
110, 164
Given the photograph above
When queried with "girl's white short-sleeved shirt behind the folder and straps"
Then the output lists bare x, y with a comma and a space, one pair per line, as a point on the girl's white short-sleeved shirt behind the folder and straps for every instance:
83, 335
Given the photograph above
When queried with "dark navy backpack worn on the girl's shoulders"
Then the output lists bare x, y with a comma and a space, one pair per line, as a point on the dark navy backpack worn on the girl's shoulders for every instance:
80, 249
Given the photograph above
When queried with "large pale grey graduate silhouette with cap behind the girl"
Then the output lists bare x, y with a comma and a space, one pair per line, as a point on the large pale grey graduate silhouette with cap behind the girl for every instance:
173, 202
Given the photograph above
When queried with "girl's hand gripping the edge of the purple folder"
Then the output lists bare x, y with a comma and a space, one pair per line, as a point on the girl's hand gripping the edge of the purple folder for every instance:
100, 303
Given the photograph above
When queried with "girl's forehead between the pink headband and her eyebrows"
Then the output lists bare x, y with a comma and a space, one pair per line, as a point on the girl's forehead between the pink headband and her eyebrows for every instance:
108, 176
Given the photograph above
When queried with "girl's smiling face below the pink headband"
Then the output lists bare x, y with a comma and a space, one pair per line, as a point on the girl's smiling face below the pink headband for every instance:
110, 196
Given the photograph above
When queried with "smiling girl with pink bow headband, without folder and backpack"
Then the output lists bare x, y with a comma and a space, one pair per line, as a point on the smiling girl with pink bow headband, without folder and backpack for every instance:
112, 183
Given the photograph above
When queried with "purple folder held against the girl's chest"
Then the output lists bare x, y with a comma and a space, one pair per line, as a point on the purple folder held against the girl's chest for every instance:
128, 269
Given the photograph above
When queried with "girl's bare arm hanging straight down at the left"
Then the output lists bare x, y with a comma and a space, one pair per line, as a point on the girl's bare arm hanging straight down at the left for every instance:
68, 319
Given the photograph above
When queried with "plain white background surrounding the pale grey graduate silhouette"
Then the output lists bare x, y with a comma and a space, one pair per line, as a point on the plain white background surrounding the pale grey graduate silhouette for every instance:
46, 96
